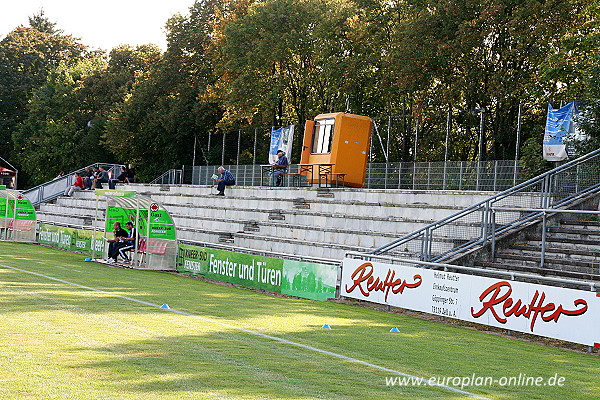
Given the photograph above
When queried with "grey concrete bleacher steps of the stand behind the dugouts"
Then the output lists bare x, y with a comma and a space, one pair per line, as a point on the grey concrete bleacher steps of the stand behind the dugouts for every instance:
299, 221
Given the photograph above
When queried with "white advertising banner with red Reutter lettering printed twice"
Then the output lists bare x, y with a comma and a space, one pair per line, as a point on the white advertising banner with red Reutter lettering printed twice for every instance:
564, 314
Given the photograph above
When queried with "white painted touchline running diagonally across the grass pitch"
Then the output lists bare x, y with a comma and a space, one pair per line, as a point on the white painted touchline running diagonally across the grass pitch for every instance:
423, 381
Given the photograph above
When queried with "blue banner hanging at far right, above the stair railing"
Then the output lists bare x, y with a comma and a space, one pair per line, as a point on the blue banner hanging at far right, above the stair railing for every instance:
559, 124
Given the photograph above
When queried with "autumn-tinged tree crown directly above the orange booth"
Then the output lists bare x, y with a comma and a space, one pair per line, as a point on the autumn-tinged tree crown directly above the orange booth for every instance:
282, 60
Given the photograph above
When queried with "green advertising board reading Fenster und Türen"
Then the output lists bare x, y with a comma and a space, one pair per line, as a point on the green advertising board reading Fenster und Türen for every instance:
301, 279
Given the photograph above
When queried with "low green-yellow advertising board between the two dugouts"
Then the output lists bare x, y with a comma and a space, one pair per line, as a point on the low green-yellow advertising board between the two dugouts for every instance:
69, 238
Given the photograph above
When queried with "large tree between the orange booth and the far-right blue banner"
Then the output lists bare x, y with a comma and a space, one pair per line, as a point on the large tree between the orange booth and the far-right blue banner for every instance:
480, 55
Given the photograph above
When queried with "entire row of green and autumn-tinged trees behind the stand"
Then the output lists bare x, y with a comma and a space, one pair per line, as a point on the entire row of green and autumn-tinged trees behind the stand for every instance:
233, 64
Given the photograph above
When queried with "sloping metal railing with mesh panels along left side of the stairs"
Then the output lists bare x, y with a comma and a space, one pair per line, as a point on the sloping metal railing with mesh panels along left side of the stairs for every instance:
477, 224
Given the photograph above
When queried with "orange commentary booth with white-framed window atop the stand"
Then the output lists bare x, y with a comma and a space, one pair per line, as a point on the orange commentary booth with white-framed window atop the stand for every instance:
335, 149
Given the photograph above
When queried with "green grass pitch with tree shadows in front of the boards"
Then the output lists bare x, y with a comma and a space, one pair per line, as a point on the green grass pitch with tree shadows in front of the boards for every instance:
60, 341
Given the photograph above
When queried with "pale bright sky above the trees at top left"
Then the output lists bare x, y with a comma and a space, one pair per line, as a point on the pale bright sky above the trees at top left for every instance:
100, 24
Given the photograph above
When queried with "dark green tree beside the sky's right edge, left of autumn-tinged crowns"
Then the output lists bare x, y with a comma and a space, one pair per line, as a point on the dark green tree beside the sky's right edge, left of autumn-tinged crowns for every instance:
154, 128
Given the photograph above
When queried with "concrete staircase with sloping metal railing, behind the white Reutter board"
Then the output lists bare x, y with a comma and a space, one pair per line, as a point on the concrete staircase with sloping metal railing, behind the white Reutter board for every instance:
547, 226
